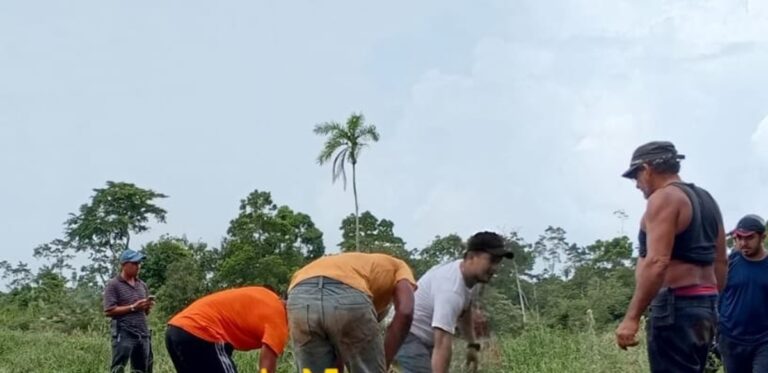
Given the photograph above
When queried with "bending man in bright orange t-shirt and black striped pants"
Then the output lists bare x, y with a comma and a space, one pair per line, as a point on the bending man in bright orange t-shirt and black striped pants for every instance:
201, 337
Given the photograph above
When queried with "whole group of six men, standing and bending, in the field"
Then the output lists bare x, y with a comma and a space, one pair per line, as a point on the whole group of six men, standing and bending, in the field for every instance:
335, 304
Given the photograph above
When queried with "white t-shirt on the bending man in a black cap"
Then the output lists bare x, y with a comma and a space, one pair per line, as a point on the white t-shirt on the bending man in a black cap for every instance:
440, 299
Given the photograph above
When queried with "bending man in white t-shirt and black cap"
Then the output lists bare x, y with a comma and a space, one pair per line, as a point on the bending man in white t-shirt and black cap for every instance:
442, 303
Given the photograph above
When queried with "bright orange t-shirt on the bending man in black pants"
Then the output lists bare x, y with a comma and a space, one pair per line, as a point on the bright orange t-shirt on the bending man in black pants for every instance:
245, 317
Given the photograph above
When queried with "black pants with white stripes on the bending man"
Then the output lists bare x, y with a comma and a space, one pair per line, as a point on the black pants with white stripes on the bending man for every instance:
192, 354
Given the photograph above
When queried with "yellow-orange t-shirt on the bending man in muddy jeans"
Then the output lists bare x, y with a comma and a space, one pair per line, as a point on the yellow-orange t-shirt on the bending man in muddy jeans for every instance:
373, 274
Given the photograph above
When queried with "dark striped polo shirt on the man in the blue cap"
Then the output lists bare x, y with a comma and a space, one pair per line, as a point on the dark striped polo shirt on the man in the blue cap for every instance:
119, 292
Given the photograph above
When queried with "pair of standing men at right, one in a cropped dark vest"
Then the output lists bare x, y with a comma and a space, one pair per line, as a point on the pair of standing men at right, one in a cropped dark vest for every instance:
696, 290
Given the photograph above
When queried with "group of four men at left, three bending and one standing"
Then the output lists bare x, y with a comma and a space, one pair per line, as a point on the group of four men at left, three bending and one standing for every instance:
332, 315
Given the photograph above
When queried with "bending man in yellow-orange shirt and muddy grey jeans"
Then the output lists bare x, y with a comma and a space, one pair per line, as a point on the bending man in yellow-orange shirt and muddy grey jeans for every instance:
335, 304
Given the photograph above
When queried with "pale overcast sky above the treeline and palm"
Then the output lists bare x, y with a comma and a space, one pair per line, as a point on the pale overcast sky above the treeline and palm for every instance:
504, 115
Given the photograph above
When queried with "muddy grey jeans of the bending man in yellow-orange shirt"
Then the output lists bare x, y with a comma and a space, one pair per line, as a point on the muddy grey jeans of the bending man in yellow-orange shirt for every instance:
330, 320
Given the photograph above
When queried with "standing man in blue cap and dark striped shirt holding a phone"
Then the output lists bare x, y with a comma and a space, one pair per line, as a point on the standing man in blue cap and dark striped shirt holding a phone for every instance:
127, 301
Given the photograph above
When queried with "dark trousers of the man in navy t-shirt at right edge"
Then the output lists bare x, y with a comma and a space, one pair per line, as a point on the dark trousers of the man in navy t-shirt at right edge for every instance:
739, 357
